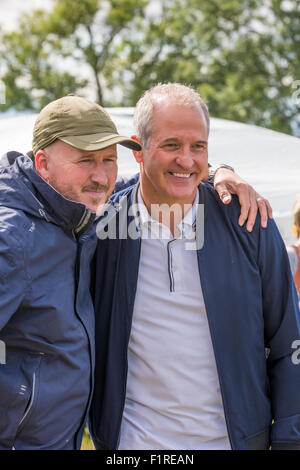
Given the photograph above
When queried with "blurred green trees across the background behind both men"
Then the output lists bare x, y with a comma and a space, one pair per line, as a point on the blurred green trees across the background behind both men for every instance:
242, 55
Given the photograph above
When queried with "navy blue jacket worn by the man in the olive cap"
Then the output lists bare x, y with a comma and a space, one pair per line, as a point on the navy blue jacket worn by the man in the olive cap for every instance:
46, 311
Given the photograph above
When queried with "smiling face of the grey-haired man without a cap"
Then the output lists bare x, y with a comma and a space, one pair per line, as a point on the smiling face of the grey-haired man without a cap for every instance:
175, 160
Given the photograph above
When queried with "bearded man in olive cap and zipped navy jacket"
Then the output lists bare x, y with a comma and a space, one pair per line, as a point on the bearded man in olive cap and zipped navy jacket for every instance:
46, 245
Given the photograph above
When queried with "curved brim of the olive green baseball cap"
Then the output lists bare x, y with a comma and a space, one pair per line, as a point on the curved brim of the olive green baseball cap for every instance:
99, 141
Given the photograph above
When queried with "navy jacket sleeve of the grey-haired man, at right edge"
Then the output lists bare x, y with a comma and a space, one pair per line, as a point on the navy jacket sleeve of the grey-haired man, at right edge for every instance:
282, 338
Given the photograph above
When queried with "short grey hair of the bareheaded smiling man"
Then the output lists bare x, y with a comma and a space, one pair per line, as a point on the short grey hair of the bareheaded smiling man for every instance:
177, 93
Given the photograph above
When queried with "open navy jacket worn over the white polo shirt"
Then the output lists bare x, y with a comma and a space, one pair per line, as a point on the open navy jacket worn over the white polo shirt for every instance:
253, 316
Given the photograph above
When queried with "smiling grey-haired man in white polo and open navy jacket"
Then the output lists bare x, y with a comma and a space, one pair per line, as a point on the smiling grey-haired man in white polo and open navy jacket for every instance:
192, 302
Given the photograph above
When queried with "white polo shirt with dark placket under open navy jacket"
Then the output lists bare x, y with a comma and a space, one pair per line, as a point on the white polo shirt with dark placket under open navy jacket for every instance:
173, 398
